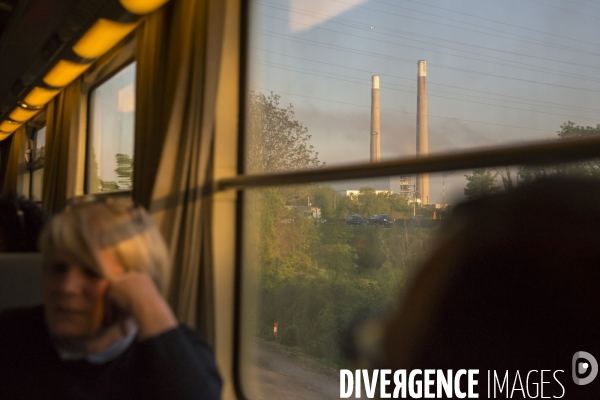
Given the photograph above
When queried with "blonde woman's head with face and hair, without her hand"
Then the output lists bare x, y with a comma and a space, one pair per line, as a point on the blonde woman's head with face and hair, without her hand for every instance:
84, 245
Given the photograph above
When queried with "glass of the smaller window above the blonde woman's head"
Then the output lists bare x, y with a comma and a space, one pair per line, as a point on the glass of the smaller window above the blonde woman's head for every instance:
111, 125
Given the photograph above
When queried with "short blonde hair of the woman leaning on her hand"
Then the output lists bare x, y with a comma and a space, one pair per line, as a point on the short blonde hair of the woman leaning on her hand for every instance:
128, 232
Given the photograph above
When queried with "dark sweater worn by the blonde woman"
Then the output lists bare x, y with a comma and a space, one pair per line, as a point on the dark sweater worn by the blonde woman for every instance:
174, 365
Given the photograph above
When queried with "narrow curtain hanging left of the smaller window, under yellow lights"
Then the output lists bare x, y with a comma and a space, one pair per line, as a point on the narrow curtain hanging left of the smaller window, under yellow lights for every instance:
61, 119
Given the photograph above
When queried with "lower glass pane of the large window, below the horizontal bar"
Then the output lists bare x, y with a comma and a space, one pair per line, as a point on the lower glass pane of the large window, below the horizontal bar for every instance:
325, 267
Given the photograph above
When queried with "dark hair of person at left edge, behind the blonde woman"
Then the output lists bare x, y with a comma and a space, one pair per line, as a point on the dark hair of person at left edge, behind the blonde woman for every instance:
21, 223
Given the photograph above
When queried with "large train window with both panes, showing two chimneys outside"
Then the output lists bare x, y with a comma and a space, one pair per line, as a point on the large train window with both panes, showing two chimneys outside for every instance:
336, 83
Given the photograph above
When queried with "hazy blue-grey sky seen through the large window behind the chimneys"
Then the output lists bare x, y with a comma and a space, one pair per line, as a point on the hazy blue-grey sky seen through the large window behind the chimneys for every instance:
498, 72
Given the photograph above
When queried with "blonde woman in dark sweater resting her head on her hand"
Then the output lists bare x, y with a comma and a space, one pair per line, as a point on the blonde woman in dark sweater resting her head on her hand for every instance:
105, 330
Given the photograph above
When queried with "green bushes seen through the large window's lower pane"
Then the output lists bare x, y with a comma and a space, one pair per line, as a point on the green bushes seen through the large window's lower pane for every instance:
316, 279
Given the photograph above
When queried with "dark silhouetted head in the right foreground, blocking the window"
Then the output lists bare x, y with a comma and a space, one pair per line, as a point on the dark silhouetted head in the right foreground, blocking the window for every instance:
514, 283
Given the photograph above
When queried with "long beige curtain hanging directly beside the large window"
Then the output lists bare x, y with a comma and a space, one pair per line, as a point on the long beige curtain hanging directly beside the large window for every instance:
179, 92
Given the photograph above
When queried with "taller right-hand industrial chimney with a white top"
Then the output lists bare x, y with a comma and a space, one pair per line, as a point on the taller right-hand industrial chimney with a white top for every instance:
422, 139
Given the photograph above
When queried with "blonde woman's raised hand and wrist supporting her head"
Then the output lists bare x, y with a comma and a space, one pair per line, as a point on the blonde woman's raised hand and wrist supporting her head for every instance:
135, 293
